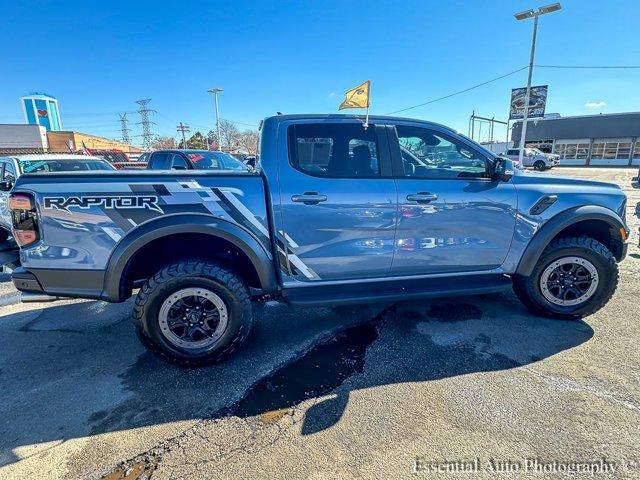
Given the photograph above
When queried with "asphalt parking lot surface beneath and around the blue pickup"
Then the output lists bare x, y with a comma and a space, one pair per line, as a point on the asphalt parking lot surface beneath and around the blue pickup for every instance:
329, 393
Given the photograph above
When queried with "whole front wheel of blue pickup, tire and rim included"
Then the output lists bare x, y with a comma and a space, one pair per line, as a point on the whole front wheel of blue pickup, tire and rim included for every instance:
574, 277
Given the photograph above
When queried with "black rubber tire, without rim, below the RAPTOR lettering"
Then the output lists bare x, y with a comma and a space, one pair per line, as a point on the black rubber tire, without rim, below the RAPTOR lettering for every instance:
226, 284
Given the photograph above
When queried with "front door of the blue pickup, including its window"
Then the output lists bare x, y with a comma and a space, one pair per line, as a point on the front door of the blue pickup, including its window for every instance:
452, 216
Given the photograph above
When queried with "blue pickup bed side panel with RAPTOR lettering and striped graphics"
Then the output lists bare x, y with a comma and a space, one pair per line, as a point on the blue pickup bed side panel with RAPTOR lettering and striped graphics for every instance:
83, 217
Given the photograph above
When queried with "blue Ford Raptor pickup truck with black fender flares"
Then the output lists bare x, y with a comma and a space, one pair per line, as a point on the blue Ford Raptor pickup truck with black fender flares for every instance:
335, 212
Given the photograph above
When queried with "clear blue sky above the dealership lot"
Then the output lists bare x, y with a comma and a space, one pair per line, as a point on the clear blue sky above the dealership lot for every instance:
97, 58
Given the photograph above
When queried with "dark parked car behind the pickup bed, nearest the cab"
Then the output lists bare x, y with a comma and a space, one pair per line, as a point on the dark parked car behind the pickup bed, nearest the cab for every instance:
184, 159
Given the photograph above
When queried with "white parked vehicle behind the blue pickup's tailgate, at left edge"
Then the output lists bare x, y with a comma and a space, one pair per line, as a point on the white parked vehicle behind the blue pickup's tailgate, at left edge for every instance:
13, 166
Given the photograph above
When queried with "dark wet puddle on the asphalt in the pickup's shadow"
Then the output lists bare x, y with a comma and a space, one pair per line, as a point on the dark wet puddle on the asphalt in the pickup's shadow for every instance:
317, 373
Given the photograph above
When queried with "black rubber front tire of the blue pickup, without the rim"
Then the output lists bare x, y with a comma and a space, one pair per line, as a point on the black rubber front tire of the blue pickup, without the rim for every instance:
528, 288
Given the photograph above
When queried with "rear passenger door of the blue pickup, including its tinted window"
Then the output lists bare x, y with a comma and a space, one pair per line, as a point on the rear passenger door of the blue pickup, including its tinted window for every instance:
338, 201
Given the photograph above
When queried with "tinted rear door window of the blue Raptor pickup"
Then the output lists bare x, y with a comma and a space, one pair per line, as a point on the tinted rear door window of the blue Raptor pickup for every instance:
342, 150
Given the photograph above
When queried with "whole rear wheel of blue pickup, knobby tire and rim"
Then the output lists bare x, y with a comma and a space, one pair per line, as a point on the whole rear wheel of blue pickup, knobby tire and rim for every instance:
193, 313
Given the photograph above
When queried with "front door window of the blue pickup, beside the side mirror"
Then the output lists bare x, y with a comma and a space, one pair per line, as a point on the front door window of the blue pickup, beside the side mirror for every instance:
431, 154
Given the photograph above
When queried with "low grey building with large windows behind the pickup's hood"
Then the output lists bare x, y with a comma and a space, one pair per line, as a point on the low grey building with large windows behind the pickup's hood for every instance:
605, 139
